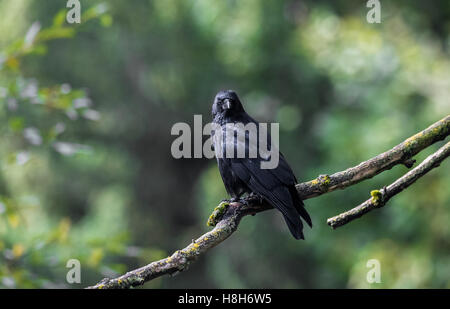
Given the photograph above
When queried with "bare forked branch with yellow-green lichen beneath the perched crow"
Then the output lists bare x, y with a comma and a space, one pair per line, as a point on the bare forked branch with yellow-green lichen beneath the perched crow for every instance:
226, 218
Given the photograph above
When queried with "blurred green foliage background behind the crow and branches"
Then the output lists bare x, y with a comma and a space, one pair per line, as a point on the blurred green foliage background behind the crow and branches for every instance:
86, 111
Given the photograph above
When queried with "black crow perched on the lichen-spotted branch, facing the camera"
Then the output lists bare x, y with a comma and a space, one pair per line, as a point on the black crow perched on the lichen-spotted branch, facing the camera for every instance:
243, 174
